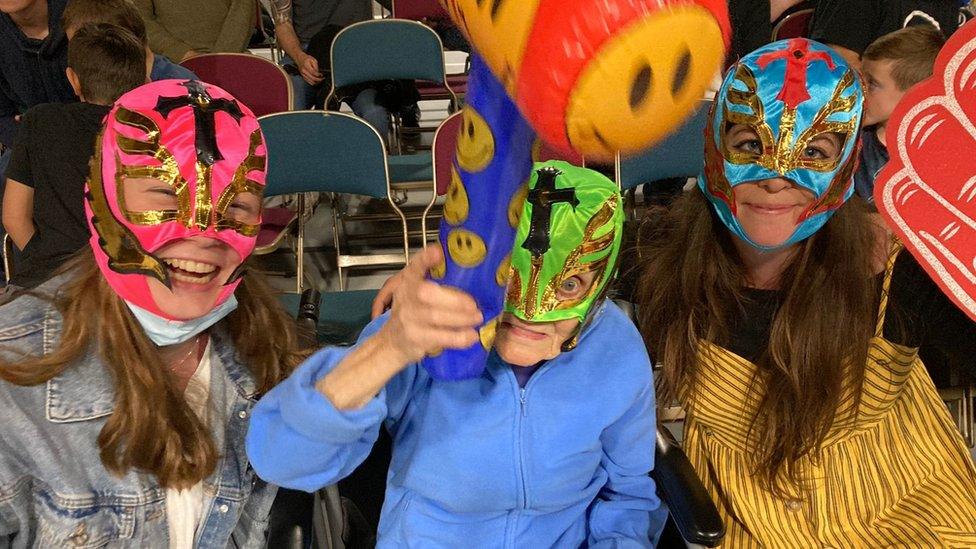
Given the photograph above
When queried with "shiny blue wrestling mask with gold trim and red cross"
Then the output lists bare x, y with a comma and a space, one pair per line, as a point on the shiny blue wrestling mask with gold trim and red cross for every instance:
788, 92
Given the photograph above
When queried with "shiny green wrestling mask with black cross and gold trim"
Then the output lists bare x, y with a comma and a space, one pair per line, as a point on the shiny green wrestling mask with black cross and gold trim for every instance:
571, 223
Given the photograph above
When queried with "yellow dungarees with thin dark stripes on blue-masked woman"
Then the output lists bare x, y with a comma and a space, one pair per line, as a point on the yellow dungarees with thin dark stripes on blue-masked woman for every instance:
895, 474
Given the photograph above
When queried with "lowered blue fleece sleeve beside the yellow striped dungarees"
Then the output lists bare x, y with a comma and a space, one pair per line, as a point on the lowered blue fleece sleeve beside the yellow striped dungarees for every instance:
627, 511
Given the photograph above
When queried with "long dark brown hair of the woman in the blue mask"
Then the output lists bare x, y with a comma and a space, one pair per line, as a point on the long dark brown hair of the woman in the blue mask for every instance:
692, 286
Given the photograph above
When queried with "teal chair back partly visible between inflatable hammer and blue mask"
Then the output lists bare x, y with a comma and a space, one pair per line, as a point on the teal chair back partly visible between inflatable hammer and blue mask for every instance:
681, 154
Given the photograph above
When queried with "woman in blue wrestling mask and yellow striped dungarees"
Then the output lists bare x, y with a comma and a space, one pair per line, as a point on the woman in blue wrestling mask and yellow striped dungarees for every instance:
788, 325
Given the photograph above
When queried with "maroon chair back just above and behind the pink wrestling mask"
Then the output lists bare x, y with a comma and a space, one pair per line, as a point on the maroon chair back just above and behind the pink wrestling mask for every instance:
258, 83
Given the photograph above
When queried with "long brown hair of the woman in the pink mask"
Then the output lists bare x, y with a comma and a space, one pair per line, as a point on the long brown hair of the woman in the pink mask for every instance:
152, 428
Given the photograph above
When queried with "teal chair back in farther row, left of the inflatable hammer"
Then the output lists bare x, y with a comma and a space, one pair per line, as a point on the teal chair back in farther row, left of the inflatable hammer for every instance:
387, 49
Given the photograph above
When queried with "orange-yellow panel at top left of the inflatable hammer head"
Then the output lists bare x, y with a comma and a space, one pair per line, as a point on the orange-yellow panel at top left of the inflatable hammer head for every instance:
500, 29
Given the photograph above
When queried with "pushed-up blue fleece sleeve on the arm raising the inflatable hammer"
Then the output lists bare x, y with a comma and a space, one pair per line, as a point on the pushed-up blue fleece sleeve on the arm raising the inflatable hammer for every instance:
298, 439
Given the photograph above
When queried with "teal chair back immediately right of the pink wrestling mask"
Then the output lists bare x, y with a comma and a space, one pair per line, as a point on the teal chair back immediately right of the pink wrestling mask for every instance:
323, 151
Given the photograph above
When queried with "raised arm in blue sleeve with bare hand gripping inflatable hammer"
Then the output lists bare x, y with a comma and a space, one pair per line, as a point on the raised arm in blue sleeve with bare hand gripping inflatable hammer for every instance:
318, 425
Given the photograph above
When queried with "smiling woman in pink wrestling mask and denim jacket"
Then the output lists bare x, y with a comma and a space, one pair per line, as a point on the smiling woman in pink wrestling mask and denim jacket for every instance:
128, 379
